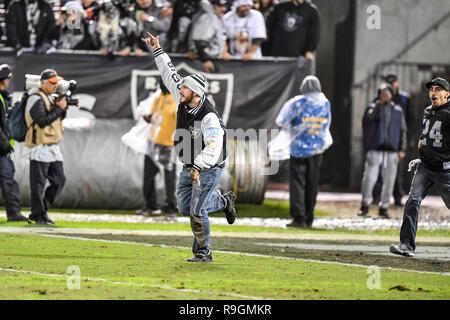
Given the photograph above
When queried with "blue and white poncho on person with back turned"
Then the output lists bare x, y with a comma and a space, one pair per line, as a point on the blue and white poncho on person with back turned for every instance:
305, 124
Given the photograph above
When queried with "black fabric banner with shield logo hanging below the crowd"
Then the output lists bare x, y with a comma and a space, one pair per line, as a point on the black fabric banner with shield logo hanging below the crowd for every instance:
248, 94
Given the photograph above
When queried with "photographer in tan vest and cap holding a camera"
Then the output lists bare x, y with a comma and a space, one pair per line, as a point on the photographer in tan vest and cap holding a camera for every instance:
44, 115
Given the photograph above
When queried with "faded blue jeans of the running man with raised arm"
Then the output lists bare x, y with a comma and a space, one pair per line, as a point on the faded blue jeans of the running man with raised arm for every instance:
197, 202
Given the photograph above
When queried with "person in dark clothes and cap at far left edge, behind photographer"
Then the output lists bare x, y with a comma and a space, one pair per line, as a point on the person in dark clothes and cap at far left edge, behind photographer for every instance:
9, 186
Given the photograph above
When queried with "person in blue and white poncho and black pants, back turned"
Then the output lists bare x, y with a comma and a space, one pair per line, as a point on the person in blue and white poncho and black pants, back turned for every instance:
304, 136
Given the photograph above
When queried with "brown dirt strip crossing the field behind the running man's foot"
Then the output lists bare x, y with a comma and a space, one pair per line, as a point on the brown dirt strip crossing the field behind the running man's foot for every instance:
246, 245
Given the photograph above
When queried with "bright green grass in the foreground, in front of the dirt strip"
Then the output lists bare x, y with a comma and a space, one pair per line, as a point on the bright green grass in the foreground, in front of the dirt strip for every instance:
134, 271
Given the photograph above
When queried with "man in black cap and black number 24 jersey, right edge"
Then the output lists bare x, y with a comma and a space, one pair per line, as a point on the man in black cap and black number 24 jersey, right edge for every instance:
433, 166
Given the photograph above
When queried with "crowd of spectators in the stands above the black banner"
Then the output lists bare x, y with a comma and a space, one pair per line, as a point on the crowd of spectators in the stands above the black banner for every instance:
203, 29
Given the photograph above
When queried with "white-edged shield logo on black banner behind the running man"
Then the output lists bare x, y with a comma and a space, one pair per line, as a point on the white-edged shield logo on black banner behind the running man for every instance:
219, 87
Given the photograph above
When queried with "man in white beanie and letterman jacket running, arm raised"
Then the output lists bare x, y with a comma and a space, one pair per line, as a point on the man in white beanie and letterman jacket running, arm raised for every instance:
200, 144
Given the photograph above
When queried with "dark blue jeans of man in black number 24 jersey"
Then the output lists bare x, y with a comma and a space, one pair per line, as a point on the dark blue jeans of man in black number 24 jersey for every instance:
421, 183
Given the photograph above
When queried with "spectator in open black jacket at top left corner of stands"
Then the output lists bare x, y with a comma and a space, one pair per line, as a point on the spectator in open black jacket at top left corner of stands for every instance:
30, 24
